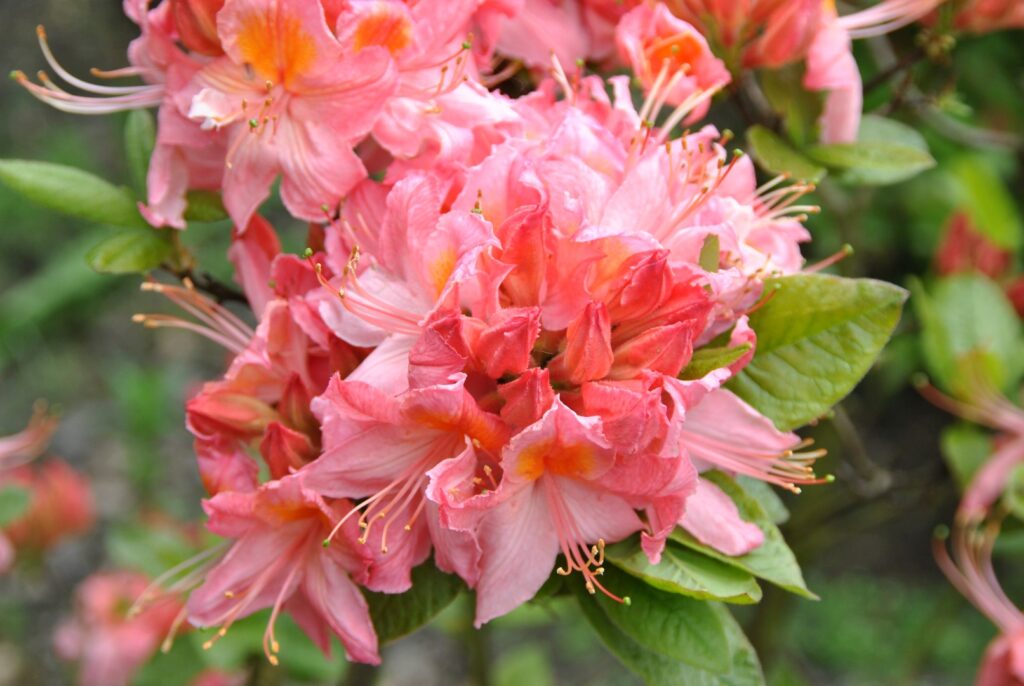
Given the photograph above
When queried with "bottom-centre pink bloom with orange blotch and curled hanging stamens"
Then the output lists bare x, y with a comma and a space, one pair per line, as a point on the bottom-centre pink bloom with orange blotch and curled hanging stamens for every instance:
561, 492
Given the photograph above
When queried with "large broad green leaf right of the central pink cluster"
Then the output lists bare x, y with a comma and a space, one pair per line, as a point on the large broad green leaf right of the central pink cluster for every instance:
818, 337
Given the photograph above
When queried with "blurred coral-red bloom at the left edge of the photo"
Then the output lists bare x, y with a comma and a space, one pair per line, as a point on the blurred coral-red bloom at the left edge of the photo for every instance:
60, 505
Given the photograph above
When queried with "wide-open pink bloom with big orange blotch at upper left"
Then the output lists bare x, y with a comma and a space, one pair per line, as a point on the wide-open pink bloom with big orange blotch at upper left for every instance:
293, 101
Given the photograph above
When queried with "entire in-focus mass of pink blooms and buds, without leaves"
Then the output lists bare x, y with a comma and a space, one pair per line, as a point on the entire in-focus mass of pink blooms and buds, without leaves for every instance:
495, 352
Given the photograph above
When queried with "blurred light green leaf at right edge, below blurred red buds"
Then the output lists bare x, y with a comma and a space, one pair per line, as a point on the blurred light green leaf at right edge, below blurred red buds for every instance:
968, 321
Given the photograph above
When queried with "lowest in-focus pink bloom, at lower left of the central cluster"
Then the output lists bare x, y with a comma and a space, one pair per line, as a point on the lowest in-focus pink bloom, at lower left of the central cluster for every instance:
278, 561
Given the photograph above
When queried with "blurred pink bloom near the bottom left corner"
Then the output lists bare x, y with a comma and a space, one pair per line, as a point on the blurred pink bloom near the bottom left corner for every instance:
109, 646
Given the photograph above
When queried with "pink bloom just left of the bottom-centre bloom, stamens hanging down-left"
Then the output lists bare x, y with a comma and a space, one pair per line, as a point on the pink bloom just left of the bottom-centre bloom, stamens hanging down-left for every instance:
382, 450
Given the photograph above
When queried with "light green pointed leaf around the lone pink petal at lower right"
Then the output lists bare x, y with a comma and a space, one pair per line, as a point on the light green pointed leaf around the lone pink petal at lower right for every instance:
773, 562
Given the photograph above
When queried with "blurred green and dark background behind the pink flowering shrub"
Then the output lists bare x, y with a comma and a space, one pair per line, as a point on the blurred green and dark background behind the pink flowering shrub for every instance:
886, 615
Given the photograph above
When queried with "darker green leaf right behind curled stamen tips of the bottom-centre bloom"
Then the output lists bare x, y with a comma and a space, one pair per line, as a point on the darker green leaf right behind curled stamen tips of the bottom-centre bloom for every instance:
671, 625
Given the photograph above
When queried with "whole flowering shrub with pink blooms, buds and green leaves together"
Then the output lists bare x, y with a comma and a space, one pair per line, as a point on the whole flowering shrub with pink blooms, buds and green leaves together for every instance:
548, 334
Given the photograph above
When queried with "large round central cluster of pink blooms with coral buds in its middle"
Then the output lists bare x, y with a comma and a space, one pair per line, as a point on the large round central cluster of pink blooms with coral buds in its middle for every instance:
544, 323
